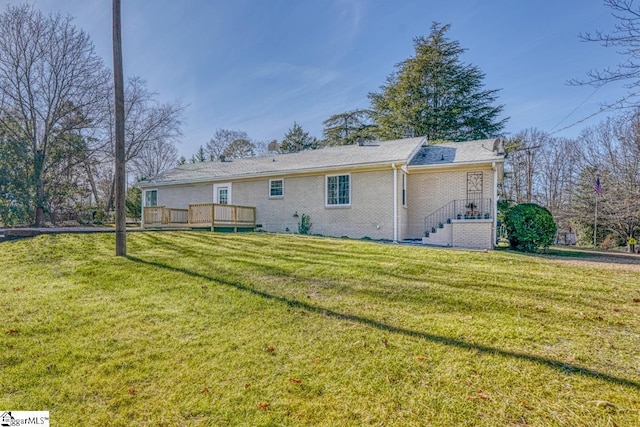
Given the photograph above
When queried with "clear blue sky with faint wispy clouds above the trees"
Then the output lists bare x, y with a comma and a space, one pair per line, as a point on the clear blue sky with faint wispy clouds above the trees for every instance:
260, 65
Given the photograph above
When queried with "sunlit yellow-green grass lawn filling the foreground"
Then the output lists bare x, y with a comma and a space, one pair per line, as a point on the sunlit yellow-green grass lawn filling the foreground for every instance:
207, 329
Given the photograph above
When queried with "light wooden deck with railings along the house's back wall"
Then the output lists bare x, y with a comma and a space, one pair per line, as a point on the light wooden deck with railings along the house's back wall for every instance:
212, 216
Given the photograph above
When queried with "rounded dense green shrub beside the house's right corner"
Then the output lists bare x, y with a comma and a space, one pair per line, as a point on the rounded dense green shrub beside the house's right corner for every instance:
530, 227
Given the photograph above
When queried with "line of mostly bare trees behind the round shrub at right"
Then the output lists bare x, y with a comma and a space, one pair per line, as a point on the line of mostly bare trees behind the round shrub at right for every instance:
560, 174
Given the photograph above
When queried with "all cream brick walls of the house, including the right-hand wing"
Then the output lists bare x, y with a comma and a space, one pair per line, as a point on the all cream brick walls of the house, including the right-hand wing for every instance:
371, 211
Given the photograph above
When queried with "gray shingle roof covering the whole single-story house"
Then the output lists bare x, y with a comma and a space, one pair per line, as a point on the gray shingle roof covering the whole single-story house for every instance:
328, 158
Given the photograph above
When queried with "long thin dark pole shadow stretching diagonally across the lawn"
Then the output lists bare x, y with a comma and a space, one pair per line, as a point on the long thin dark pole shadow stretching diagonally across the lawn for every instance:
558, 365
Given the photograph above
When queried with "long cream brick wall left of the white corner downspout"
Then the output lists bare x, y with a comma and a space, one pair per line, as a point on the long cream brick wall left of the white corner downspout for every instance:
370, 214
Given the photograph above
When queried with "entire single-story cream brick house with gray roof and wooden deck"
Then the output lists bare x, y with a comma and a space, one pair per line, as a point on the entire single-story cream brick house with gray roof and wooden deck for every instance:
443, 194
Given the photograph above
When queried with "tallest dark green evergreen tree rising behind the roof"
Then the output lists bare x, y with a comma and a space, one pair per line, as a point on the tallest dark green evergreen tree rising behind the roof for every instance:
435, 94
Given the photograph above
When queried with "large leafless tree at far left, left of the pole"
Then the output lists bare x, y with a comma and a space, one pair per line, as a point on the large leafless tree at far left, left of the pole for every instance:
52, 84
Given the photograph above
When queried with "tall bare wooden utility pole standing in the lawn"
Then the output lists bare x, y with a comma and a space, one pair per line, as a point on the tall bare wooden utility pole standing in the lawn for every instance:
121, 220
